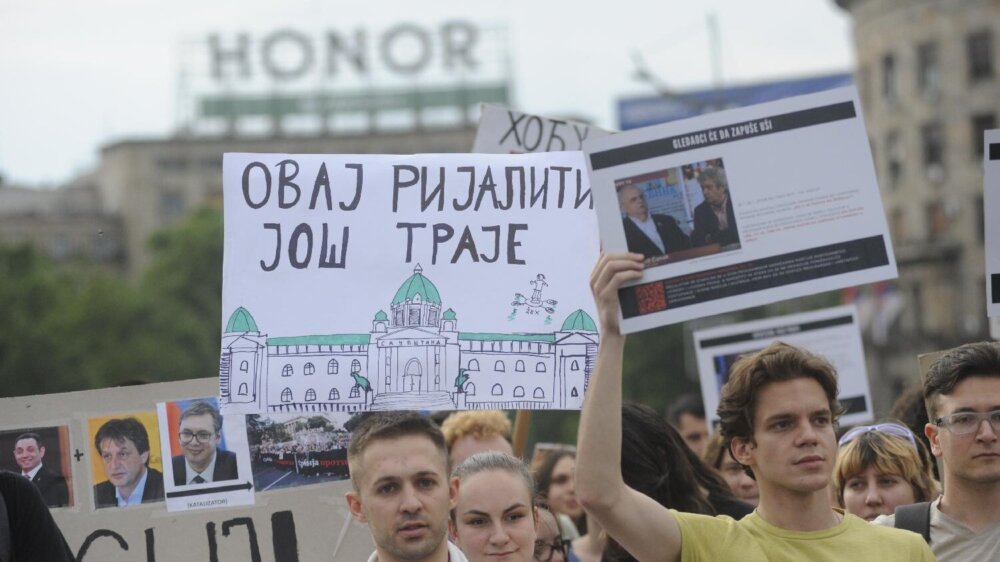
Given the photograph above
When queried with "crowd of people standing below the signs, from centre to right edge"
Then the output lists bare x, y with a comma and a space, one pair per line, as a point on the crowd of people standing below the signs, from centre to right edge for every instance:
776, 480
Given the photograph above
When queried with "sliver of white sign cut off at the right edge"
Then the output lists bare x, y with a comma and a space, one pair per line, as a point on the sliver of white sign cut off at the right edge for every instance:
991, 222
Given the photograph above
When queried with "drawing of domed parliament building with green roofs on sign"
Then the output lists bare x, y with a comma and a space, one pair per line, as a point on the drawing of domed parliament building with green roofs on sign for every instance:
413, 358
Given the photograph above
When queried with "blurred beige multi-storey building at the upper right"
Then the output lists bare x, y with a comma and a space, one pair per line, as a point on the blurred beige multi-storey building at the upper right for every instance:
927, 77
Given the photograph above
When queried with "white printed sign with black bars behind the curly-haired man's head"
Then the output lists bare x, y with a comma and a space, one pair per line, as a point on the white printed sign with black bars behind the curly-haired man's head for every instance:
832, 333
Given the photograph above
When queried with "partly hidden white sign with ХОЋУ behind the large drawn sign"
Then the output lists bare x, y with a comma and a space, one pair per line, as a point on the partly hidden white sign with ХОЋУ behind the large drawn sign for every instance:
505, 131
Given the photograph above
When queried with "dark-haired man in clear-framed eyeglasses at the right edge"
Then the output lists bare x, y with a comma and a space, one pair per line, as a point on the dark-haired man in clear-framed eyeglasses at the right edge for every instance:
962, 393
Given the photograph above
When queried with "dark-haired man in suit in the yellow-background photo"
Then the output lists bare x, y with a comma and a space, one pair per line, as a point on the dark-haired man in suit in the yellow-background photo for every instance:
123, 446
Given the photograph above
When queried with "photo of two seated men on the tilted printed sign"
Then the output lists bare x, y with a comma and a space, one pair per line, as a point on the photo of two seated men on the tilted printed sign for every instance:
678, 213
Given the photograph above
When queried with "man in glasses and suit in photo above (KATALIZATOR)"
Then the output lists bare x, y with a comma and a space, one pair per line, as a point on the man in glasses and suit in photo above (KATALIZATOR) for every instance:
202, 459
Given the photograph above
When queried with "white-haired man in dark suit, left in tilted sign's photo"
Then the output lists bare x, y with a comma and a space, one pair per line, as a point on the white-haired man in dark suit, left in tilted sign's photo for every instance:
648, 234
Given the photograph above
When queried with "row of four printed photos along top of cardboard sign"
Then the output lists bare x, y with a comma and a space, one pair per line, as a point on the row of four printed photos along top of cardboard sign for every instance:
181, 452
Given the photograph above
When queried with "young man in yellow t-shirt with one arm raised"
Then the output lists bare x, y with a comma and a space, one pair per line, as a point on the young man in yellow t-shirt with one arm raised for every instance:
777, 418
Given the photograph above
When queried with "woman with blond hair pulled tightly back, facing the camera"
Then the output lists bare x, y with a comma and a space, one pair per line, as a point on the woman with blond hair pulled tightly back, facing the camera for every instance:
494, 518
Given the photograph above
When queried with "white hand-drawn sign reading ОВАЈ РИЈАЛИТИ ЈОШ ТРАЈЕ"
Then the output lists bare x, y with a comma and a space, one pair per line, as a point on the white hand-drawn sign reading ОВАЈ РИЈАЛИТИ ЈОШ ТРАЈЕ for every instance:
429, 282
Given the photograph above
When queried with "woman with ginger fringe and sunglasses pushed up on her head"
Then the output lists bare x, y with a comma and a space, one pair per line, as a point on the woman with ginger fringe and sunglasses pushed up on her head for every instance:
878, 468
